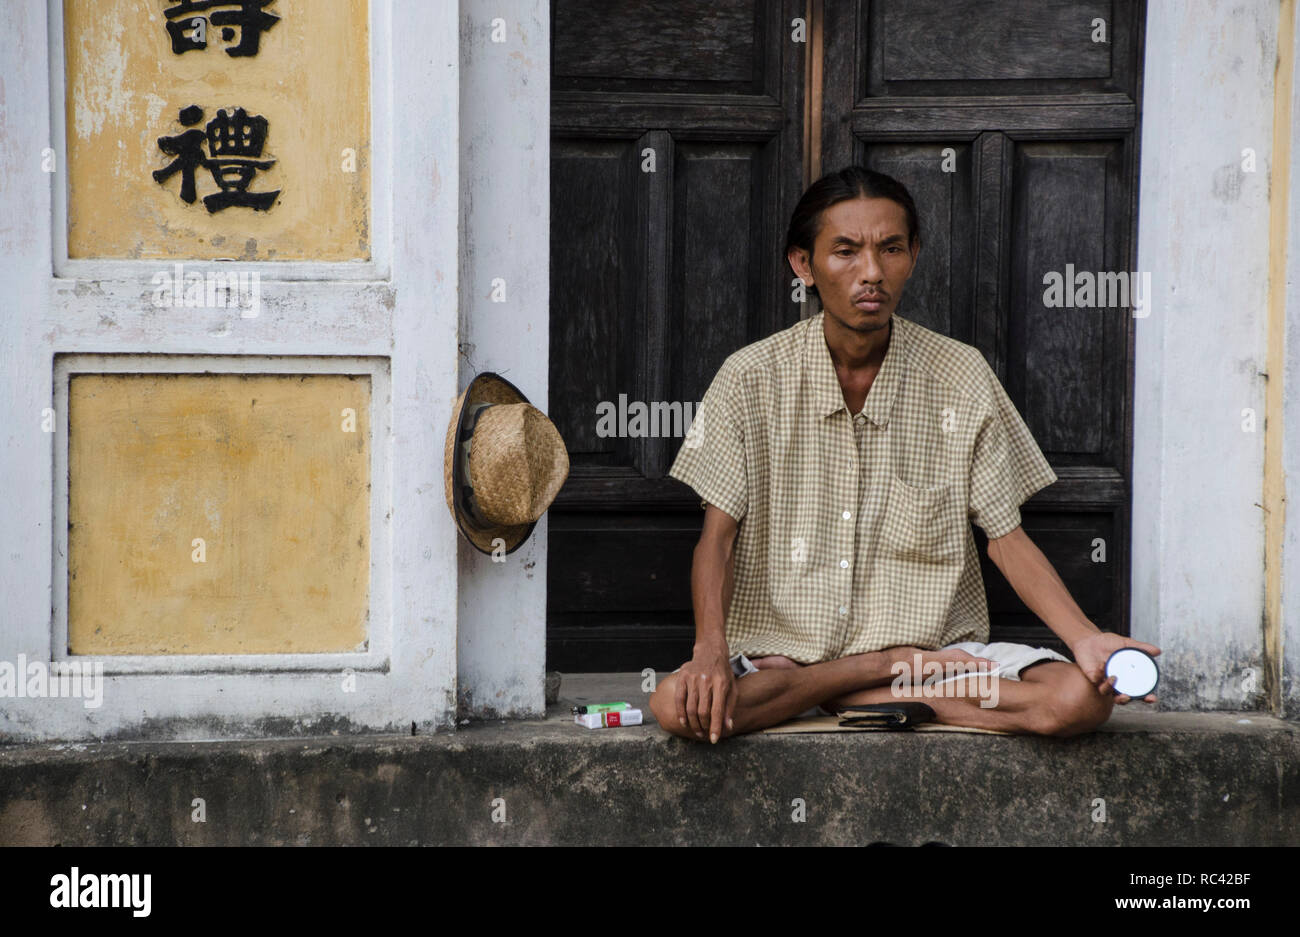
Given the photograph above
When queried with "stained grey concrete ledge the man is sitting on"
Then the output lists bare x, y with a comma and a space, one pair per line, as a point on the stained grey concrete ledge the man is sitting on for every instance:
1167, 779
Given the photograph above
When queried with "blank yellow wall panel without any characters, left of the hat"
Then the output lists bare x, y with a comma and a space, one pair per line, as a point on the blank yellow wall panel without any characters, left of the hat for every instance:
218, 514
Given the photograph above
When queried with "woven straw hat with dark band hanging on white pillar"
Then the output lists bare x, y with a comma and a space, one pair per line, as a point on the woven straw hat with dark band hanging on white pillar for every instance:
502, 466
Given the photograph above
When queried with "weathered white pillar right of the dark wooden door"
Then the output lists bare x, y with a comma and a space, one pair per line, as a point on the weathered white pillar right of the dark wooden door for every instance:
1198, 565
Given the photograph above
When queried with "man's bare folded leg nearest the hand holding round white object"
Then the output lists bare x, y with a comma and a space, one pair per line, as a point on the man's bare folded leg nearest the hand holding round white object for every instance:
1051, 699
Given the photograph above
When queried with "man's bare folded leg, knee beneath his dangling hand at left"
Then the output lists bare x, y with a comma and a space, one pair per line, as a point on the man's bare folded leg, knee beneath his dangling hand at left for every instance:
778, 693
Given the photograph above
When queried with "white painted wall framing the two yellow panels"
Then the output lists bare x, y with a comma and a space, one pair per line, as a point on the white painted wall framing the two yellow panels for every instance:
107, 307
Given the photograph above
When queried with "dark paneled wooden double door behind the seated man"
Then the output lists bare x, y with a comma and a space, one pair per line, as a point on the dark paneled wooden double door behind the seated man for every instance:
683, 136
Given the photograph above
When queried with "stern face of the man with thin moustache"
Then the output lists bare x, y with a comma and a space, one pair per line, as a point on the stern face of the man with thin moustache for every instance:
861, 261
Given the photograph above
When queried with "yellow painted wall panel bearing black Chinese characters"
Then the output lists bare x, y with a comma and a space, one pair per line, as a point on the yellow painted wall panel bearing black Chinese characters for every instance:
127, 88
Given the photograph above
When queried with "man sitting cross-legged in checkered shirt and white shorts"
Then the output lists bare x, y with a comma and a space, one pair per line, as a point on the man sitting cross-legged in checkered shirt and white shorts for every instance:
842, 463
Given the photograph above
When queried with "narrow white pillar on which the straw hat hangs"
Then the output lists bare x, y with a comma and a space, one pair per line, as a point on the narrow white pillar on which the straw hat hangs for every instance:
505, 232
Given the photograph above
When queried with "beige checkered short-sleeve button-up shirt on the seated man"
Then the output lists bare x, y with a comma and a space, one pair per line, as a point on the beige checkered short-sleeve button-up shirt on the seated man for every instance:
855, 528
